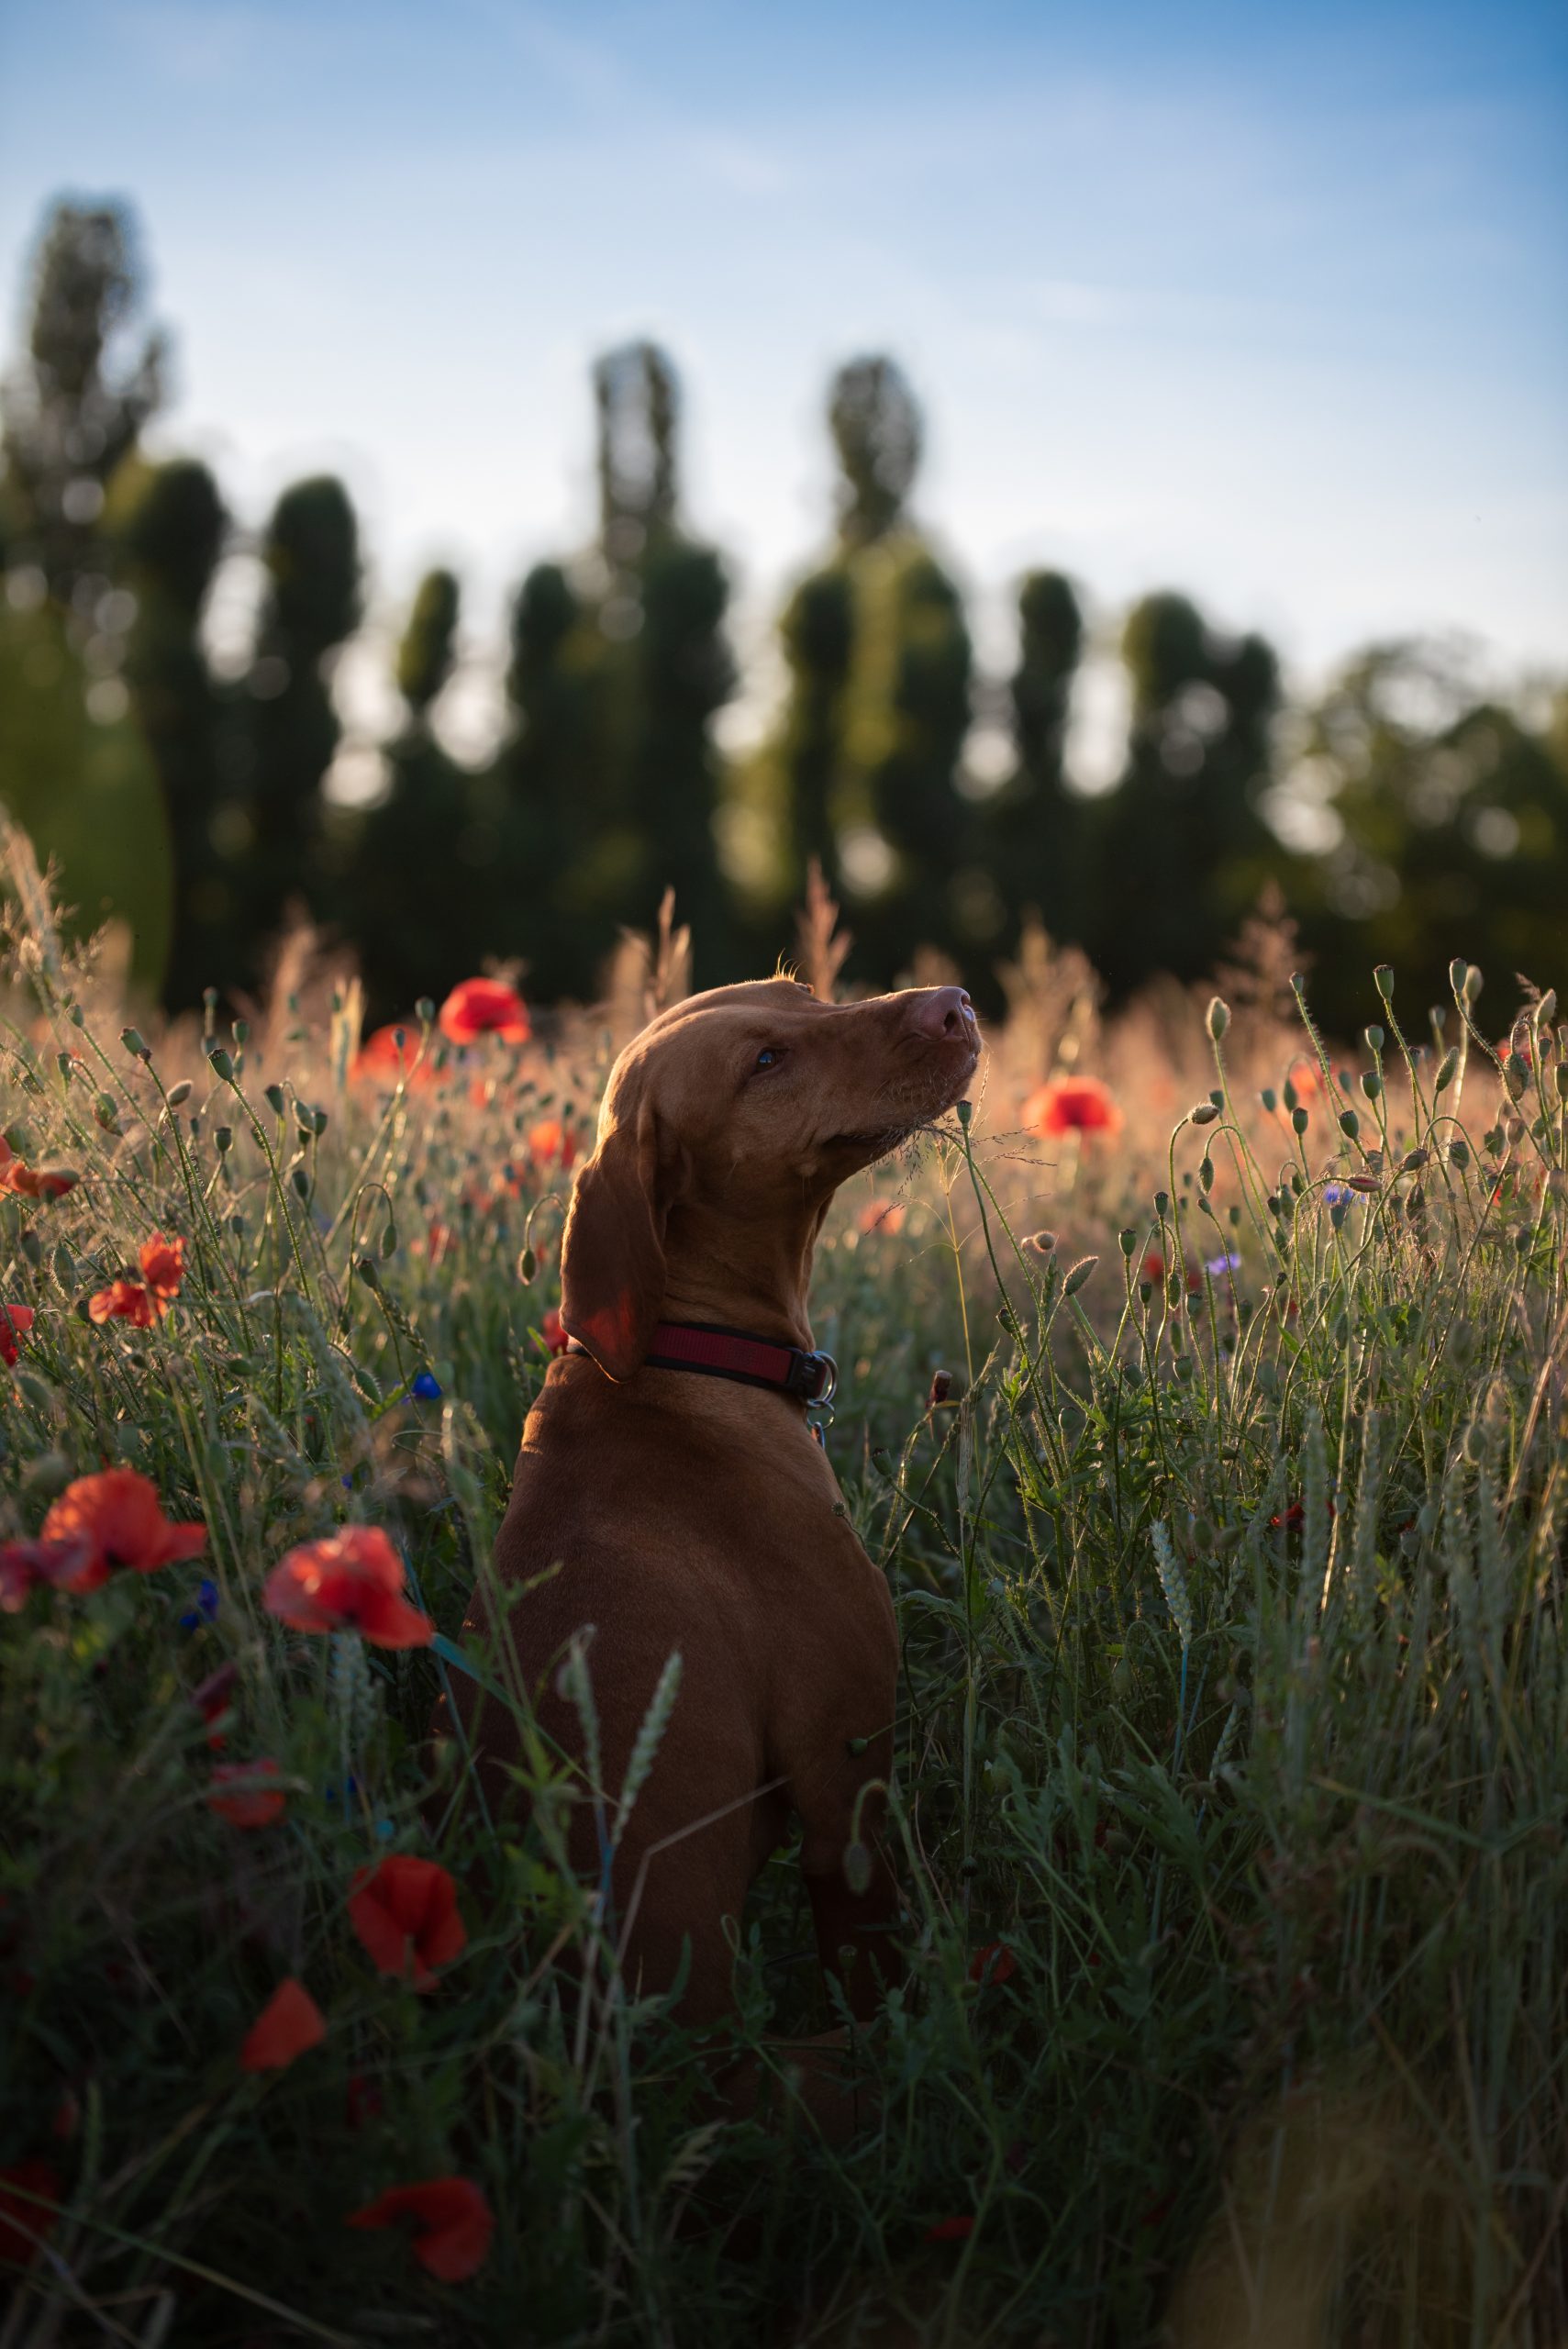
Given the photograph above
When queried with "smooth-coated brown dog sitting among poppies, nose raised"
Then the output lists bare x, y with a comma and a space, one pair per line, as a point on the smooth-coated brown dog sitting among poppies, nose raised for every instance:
691, 1514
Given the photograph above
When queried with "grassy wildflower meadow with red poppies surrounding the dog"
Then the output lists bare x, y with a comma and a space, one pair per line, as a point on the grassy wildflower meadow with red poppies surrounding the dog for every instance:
1201, 1394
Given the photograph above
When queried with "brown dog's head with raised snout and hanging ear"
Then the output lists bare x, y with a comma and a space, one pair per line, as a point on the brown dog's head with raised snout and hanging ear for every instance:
752, 1105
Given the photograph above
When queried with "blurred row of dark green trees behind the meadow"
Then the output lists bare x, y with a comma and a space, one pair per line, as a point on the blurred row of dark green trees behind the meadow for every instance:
194, 800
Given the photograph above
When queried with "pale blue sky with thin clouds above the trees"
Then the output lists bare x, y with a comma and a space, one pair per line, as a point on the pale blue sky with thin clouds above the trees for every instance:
1264, 302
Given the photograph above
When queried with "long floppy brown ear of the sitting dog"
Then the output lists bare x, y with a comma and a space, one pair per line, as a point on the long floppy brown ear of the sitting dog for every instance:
614, 1248
